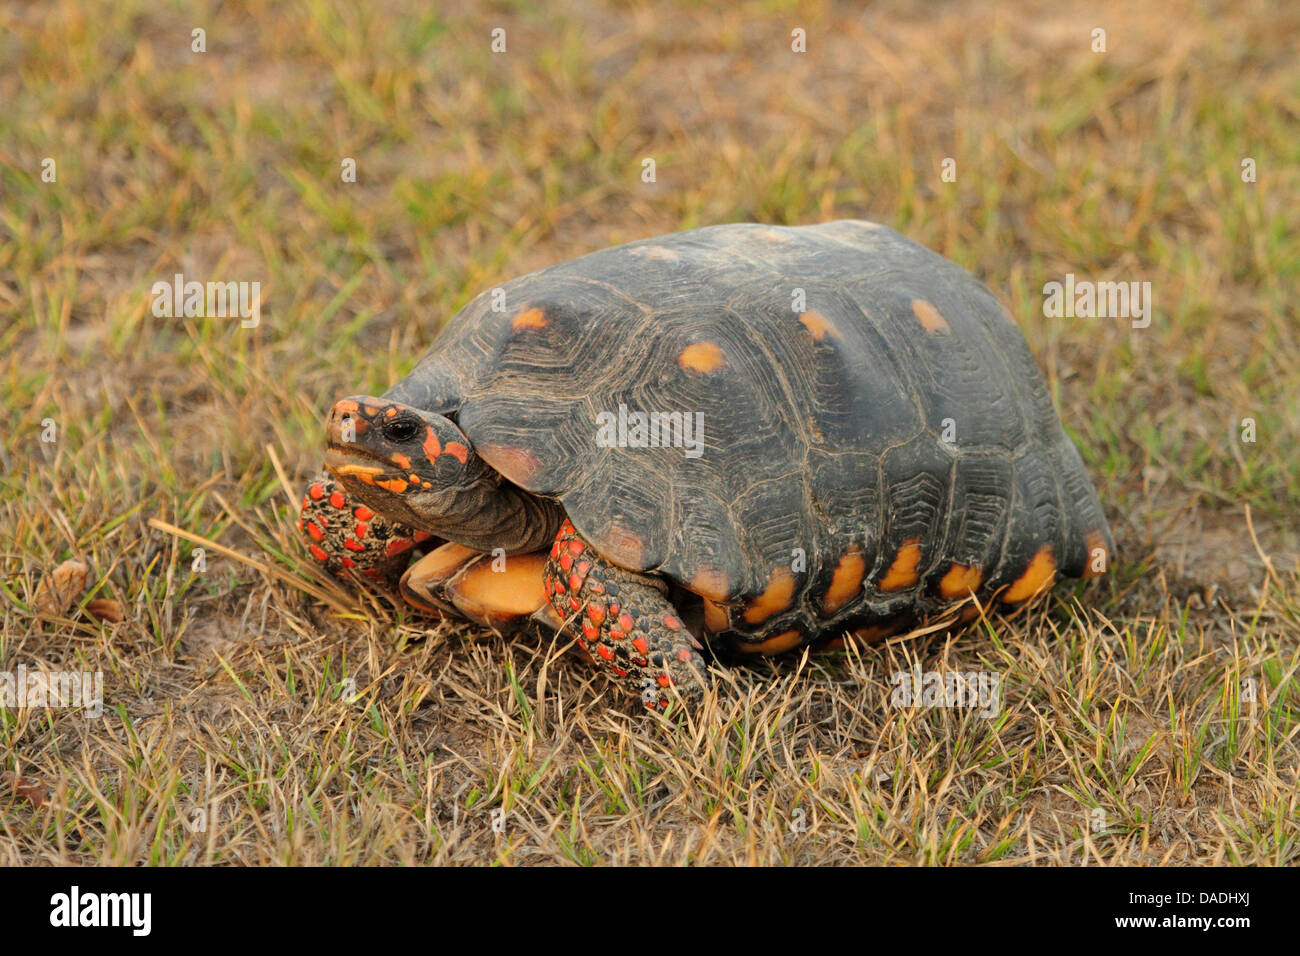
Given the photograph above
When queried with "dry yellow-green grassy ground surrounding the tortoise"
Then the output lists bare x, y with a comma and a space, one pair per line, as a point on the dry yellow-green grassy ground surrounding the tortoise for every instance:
255, 713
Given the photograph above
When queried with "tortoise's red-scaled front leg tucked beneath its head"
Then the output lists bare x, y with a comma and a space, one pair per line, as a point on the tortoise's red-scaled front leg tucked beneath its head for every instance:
346, 537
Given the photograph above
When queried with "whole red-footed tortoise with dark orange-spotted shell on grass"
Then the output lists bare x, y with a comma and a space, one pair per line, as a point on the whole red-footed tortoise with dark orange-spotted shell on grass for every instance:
744, 438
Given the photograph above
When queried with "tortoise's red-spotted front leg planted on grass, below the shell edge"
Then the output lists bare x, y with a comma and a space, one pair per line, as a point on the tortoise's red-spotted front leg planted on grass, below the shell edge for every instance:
626, 622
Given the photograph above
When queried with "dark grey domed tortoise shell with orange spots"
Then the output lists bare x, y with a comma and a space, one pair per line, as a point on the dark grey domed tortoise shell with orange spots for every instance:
874, 436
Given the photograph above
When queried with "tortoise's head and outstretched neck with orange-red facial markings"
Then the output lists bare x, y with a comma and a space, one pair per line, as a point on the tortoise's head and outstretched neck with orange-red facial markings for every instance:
418, 469
